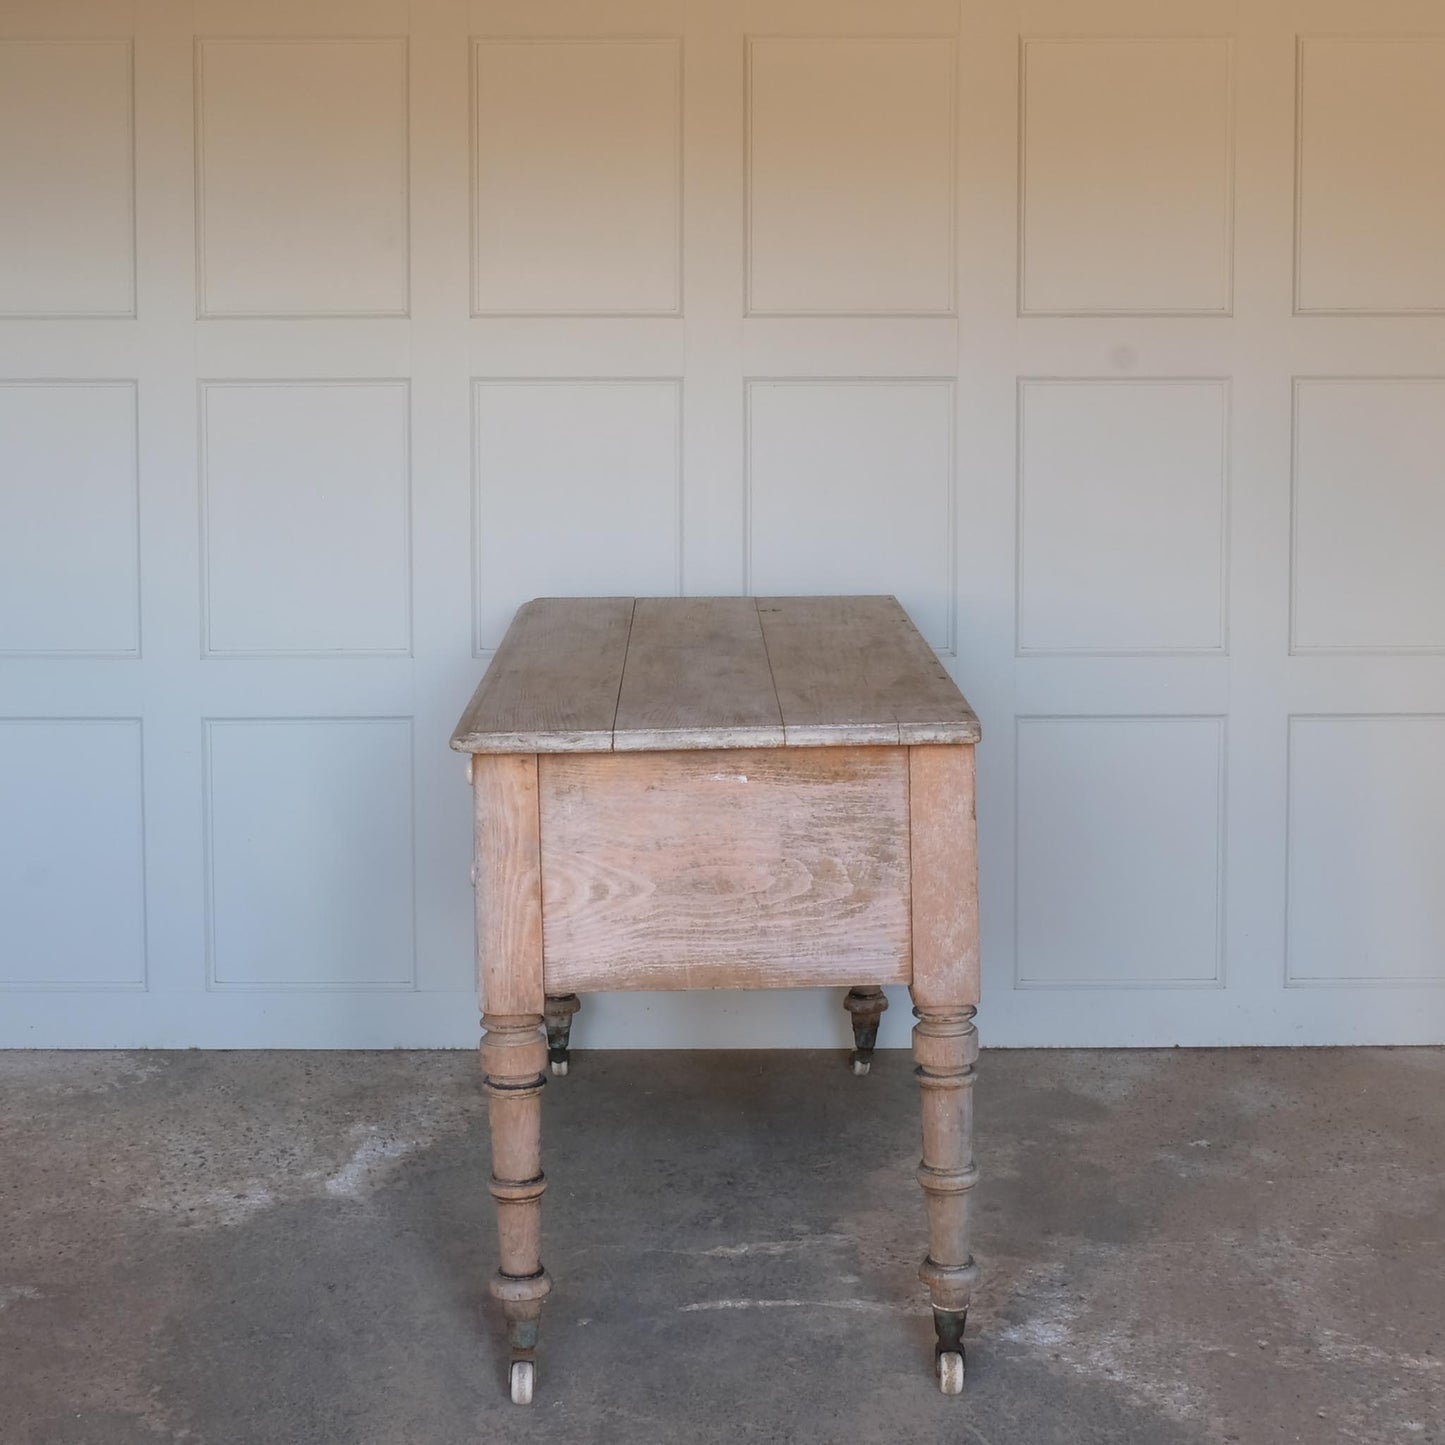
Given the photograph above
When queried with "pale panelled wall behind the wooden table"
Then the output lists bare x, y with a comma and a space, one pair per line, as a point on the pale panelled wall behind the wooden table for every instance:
1109, 336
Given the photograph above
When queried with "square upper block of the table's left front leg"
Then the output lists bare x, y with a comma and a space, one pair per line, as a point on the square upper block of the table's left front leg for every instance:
509, 884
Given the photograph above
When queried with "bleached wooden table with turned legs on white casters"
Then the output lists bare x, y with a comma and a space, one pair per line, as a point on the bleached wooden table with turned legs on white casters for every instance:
723, 793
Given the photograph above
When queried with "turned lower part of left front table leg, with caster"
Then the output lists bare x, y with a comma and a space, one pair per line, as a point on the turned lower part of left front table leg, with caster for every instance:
512, 1057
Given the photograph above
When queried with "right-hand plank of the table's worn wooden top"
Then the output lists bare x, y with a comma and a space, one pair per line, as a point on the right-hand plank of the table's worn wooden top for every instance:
855, 670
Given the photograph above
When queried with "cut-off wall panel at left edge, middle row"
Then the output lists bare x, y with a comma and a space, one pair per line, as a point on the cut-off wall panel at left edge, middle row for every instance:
70, 567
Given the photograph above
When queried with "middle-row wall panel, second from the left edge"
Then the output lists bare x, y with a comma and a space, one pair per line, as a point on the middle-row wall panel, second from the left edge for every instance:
306, 511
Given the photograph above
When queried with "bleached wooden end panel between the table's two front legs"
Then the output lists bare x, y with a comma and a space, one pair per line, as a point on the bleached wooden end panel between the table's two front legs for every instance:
743, 869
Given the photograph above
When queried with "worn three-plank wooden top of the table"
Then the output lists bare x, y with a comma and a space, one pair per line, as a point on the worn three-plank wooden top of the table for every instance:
648, 674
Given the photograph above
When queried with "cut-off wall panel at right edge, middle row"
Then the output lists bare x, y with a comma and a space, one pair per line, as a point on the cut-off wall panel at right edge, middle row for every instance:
1369, 515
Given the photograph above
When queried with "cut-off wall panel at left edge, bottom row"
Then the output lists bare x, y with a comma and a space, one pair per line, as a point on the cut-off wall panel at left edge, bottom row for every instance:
73, 876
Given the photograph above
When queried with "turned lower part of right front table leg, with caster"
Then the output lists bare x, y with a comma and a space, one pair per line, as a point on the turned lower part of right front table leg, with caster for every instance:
946, 1045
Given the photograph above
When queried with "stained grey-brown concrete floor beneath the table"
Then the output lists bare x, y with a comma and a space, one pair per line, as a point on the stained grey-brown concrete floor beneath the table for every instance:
1178, 1248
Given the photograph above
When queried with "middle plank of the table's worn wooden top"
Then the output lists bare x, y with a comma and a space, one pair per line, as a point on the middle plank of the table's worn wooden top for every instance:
697, 677
